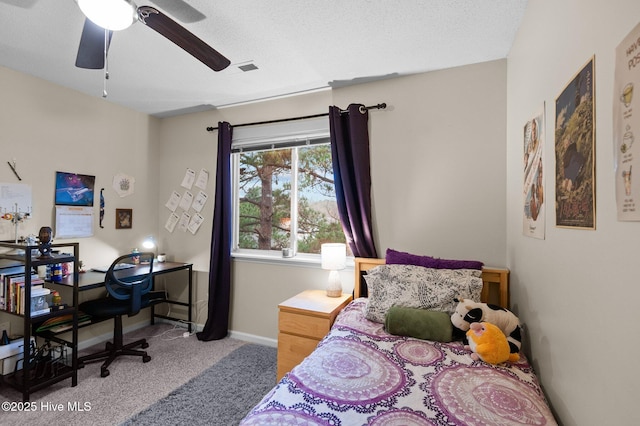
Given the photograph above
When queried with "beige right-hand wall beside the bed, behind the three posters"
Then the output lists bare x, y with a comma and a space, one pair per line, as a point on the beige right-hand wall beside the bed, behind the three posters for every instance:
576, 290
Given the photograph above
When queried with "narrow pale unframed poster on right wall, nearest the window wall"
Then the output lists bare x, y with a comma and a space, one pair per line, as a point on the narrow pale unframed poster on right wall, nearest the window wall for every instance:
533, 189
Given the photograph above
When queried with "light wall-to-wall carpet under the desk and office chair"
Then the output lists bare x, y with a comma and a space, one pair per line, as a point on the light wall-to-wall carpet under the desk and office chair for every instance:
132, 385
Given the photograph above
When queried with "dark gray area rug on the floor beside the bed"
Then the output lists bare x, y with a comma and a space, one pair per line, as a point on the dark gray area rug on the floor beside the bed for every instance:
222, 395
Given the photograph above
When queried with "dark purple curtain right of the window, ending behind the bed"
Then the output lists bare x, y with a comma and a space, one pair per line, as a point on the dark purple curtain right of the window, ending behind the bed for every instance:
352, 176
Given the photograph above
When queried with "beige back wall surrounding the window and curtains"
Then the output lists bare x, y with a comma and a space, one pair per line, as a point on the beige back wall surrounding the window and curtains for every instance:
438, 168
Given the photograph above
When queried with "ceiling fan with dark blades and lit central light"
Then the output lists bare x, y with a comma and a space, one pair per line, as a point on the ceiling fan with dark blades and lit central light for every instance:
98, 30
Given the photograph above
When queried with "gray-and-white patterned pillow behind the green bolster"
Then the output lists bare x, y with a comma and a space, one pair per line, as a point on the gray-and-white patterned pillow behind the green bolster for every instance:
414, 286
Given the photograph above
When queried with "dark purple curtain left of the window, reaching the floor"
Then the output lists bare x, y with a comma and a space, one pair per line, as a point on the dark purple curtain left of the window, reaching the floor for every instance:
217, 325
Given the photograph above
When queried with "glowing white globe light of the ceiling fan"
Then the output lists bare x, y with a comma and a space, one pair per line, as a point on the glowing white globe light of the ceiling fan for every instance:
109, 14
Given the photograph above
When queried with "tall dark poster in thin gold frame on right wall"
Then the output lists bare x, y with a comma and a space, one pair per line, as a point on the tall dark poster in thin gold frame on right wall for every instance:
575, 152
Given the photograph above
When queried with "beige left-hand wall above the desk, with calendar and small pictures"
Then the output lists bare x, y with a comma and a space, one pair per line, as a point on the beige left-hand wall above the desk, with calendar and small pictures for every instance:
48, 128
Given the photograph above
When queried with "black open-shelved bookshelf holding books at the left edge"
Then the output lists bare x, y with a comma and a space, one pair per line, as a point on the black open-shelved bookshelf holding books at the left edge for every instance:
29, 379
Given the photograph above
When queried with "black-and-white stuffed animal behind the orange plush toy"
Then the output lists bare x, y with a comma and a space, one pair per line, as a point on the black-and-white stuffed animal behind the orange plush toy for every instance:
467, 312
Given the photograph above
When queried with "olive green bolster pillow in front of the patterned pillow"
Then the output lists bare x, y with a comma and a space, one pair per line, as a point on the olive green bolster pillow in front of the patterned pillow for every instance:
419, 323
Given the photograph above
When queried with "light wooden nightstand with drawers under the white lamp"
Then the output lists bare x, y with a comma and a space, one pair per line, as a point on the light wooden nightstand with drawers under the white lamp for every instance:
303, 321
